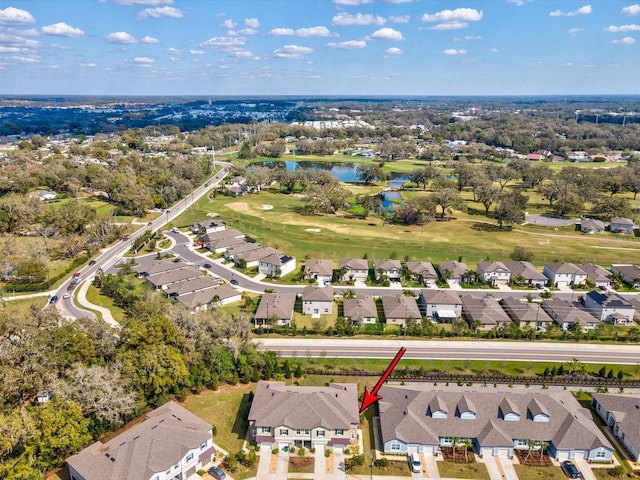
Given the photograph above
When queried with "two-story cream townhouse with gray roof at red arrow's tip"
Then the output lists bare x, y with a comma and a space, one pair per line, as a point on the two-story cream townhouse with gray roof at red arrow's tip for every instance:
284, 416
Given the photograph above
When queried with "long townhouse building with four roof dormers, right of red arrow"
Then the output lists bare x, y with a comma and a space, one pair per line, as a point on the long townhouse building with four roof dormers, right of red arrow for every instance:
420, 418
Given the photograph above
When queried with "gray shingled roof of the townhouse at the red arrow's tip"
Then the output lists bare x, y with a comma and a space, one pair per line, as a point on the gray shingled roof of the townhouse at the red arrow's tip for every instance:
332, 407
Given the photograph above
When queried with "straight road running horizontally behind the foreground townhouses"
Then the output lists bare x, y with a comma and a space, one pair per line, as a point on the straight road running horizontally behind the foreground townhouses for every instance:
454, 350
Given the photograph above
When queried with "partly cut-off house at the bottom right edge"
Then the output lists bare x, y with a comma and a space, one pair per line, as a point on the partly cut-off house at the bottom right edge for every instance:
621, 413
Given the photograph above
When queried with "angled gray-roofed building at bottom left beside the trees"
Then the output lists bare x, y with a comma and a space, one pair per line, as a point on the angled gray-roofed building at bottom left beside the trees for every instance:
170, 443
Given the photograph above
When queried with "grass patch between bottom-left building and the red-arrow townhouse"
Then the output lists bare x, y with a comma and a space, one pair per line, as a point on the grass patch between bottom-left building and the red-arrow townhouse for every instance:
227, 409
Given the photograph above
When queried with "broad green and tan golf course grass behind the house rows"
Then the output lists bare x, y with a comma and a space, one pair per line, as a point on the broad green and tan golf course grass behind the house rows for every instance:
471, 236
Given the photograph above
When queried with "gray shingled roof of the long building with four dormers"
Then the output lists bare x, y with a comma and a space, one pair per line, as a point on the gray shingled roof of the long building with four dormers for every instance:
404, 416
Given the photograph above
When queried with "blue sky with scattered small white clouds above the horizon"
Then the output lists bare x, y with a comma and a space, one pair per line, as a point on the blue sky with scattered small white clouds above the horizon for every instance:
319, 47
